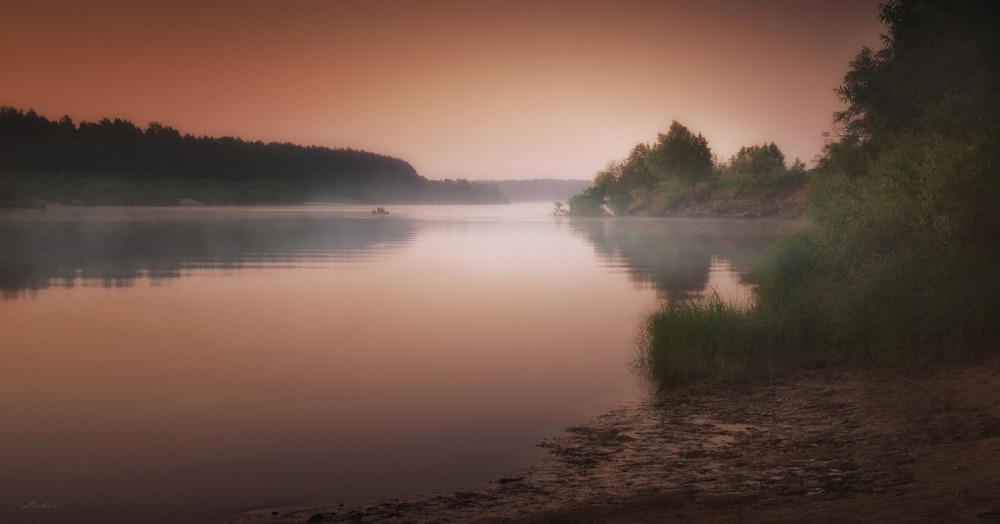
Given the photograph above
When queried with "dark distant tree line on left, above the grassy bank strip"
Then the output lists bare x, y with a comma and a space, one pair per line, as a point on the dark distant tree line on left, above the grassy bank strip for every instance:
117, 149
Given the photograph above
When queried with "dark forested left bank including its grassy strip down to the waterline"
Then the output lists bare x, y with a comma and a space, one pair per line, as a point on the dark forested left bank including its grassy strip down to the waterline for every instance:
157, 162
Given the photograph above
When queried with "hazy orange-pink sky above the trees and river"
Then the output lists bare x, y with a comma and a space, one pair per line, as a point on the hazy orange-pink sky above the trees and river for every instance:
476, 89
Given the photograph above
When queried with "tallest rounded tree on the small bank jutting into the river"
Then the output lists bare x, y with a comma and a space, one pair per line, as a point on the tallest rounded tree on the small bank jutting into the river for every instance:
680, 155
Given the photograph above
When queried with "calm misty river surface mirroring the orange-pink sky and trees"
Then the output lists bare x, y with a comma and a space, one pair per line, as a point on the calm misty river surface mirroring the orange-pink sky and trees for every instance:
180, 365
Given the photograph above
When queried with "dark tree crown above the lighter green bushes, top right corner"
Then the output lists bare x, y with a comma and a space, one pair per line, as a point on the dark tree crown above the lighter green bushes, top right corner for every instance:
933, 49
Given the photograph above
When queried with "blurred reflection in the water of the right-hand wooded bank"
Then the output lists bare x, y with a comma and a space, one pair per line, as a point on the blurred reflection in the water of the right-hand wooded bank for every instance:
675, 254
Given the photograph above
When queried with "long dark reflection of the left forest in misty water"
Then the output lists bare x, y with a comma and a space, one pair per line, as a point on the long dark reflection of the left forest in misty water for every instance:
115, 253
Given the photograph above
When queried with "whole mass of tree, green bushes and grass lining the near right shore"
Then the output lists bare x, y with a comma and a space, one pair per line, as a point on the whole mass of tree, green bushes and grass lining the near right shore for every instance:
901, 257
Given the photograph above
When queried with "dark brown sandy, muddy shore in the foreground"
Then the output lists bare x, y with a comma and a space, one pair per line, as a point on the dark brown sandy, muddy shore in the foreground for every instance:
831, 445
